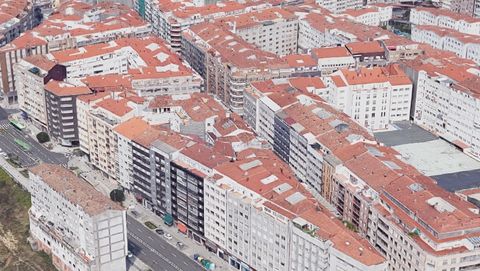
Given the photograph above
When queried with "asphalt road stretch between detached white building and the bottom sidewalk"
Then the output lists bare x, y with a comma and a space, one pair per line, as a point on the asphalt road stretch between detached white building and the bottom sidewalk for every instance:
155, 251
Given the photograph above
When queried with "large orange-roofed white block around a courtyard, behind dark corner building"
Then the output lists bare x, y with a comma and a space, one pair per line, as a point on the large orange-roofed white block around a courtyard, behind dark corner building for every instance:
150, 68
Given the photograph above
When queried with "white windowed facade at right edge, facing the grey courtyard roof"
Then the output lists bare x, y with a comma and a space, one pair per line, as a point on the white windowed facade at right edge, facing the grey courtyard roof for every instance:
449, 109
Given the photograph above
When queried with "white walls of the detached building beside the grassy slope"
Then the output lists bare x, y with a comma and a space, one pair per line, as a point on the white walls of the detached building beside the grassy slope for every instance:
95, 243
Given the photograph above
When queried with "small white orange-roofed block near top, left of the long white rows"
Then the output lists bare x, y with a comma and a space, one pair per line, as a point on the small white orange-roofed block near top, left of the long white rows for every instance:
374, 15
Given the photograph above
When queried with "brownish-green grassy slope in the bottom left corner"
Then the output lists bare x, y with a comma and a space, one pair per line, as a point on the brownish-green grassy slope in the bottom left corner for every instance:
17, 254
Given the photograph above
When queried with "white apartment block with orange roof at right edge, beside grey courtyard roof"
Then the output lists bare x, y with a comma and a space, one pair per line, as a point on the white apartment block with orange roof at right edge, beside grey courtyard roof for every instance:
447, 101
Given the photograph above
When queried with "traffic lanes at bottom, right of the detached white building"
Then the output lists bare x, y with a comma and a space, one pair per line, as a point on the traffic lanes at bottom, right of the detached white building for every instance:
161, 248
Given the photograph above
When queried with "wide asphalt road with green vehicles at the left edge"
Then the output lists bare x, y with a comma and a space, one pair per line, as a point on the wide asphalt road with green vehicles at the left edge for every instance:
36, 154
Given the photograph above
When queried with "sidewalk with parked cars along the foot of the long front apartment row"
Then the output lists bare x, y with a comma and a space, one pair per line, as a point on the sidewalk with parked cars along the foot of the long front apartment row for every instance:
191, 246
